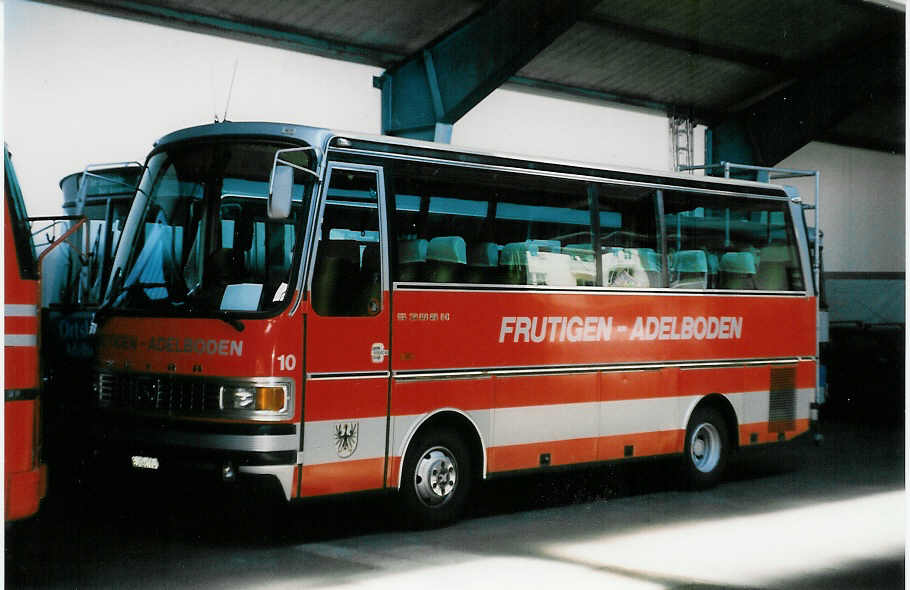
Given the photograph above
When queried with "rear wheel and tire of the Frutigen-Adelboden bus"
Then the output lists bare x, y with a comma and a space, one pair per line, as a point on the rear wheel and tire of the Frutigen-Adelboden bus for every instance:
706, 449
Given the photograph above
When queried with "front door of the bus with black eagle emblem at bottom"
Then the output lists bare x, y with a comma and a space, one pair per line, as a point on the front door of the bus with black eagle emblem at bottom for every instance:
347, 337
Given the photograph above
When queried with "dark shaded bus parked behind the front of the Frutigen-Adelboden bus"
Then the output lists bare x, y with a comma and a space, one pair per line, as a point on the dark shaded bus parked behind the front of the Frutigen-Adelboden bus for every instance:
73, 282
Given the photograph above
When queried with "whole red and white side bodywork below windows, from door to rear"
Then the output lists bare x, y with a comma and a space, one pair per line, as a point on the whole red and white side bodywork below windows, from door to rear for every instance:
553, 402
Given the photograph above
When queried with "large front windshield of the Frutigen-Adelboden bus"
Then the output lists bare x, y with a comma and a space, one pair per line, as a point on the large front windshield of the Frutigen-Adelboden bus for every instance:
198, 239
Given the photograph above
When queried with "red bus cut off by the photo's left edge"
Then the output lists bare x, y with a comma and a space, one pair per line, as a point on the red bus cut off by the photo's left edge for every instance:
26, 475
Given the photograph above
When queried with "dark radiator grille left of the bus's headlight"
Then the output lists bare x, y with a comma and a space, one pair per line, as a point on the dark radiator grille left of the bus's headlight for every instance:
170, 394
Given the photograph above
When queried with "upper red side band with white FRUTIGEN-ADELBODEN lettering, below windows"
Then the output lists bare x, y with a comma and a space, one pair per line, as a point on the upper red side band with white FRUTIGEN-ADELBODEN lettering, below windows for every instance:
525, 329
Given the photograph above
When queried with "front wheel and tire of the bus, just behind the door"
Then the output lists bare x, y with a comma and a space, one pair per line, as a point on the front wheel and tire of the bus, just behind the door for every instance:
436, 479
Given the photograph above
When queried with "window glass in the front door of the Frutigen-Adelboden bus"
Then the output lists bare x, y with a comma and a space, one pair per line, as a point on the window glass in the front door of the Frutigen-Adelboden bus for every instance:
347, 277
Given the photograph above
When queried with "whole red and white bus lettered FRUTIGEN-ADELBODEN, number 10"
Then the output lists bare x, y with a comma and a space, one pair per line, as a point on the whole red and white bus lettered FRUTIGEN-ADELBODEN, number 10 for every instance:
344, 313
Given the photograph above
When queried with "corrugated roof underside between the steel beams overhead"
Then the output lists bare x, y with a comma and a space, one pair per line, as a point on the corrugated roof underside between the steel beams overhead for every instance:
704, 57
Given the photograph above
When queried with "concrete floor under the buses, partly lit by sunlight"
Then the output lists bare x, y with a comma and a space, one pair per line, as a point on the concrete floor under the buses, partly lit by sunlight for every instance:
796, 516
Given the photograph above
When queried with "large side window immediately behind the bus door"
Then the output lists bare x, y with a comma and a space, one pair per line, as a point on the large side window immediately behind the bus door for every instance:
456, 225
